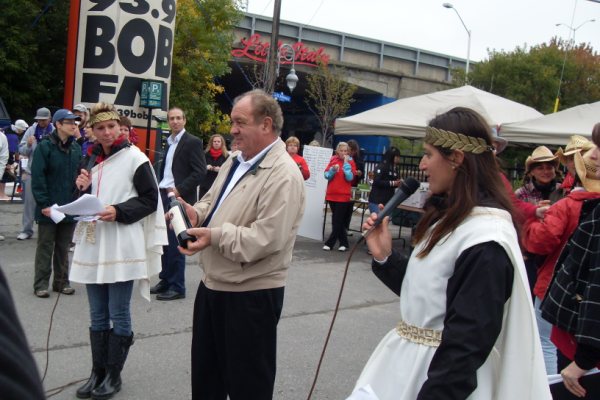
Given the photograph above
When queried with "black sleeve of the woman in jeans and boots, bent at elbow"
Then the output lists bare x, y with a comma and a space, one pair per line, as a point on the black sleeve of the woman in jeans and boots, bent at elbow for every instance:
145, 203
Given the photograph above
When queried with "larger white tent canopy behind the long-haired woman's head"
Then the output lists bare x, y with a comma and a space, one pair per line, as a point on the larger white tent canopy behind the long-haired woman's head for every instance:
408, 117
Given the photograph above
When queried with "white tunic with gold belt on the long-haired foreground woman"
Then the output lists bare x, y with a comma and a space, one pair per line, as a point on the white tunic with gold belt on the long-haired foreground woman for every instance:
514, 369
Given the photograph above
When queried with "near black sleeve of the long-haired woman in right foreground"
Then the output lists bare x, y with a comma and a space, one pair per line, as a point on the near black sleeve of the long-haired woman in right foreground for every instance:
476, 294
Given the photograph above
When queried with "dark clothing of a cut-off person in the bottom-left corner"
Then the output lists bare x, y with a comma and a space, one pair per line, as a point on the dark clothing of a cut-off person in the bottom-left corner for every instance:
19, 377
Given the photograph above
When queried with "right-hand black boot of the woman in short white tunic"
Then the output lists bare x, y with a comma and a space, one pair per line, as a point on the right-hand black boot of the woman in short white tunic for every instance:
118, 348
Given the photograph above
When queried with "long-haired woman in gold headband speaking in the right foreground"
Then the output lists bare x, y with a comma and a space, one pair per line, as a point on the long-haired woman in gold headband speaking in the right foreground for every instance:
466, 325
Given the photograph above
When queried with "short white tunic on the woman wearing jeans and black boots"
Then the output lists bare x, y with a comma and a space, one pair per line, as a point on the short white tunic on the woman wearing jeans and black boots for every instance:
113, 251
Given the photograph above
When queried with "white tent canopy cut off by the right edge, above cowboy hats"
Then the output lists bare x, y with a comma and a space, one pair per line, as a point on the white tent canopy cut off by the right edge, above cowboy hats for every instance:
554, 128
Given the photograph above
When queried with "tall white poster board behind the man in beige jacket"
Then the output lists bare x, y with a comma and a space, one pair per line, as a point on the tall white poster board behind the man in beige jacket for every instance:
317, 159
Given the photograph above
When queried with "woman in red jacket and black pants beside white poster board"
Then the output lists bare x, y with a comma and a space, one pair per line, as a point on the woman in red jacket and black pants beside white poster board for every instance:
340, 173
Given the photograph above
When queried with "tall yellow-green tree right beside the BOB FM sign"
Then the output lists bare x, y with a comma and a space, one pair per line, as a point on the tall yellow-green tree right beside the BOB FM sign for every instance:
203, 37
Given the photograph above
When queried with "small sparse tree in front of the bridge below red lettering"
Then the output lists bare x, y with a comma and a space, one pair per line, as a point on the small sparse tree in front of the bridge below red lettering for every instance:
330, 96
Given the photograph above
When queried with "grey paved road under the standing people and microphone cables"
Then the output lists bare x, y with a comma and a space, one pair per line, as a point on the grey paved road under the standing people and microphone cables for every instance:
158, 366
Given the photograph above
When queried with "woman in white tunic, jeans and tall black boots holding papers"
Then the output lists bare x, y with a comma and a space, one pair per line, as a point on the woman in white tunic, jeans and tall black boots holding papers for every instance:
122, 245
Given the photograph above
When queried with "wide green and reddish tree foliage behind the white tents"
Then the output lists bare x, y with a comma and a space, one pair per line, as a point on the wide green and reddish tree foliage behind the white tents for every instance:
532, 76
